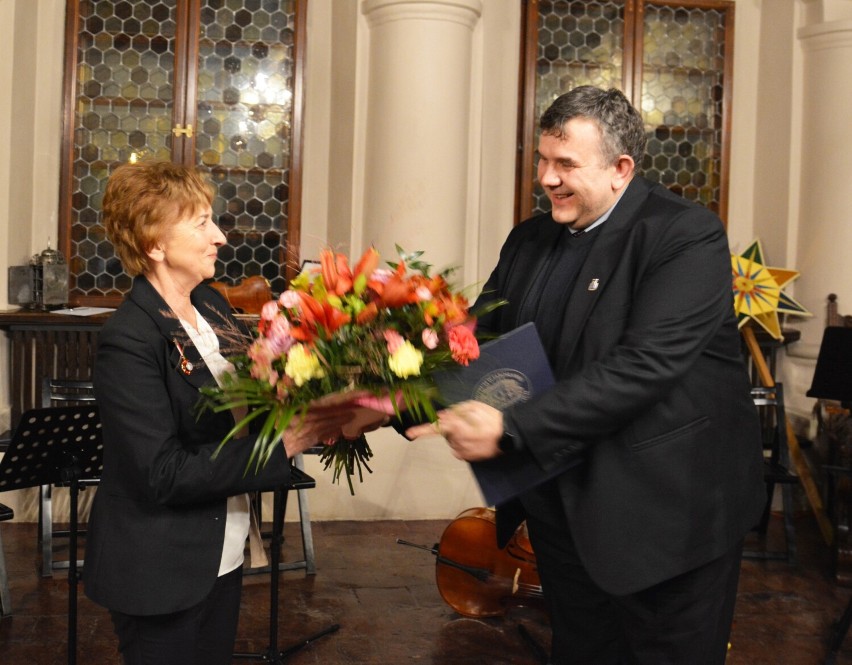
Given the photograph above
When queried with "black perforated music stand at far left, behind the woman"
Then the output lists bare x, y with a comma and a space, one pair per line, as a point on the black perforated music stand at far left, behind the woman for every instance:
57, 446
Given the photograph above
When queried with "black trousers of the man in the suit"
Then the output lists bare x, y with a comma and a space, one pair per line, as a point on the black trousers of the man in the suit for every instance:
682, 621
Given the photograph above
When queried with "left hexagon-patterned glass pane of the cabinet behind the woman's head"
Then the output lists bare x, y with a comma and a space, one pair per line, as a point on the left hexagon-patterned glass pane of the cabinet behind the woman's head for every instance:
123, 112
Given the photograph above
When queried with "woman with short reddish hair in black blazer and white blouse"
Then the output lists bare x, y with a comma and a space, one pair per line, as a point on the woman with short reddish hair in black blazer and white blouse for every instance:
169, 522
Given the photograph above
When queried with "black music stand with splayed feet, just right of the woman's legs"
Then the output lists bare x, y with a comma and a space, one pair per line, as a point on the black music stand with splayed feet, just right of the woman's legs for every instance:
298, 480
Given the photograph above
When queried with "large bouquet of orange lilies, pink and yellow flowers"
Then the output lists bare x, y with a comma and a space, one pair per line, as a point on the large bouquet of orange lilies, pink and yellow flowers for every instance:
348, 336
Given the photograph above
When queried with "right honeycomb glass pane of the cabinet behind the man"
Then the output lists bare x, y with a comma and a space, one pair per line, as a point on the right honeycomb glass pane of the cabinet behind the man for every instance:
682, 95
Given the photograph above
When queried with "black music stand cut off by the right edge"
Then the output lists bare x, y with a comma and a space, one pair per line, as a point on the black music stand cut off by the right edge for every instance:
833, 380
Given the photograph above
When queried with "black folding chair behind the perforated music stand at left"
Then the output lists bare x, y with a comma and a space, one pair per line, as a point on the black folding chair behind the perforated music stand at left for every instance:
59, 392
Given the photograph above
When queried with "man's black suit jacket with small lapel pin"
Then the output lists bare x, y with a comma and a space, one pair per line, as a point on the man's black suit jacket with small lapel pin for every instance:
651, 393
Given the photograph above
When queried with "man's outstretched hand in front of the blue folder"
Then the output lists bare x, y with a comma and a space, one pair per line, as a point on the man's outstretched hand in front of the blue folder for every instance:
472, 430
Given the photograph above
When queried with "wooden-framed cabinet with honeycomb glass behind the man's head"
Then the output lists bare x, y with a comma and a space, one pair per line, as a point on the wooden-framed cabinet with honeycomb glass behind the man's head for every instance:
673, 60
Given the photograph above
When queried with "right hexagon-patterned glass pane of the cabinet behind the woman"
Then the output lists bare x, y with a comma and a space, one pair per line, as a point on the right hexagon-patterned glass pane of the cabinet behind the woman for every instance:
245, 93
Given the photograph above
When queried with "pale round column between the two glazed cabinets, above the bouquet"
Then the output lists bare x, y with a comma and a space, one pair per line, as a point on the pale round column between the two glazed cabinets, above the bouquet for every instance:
417, 135
